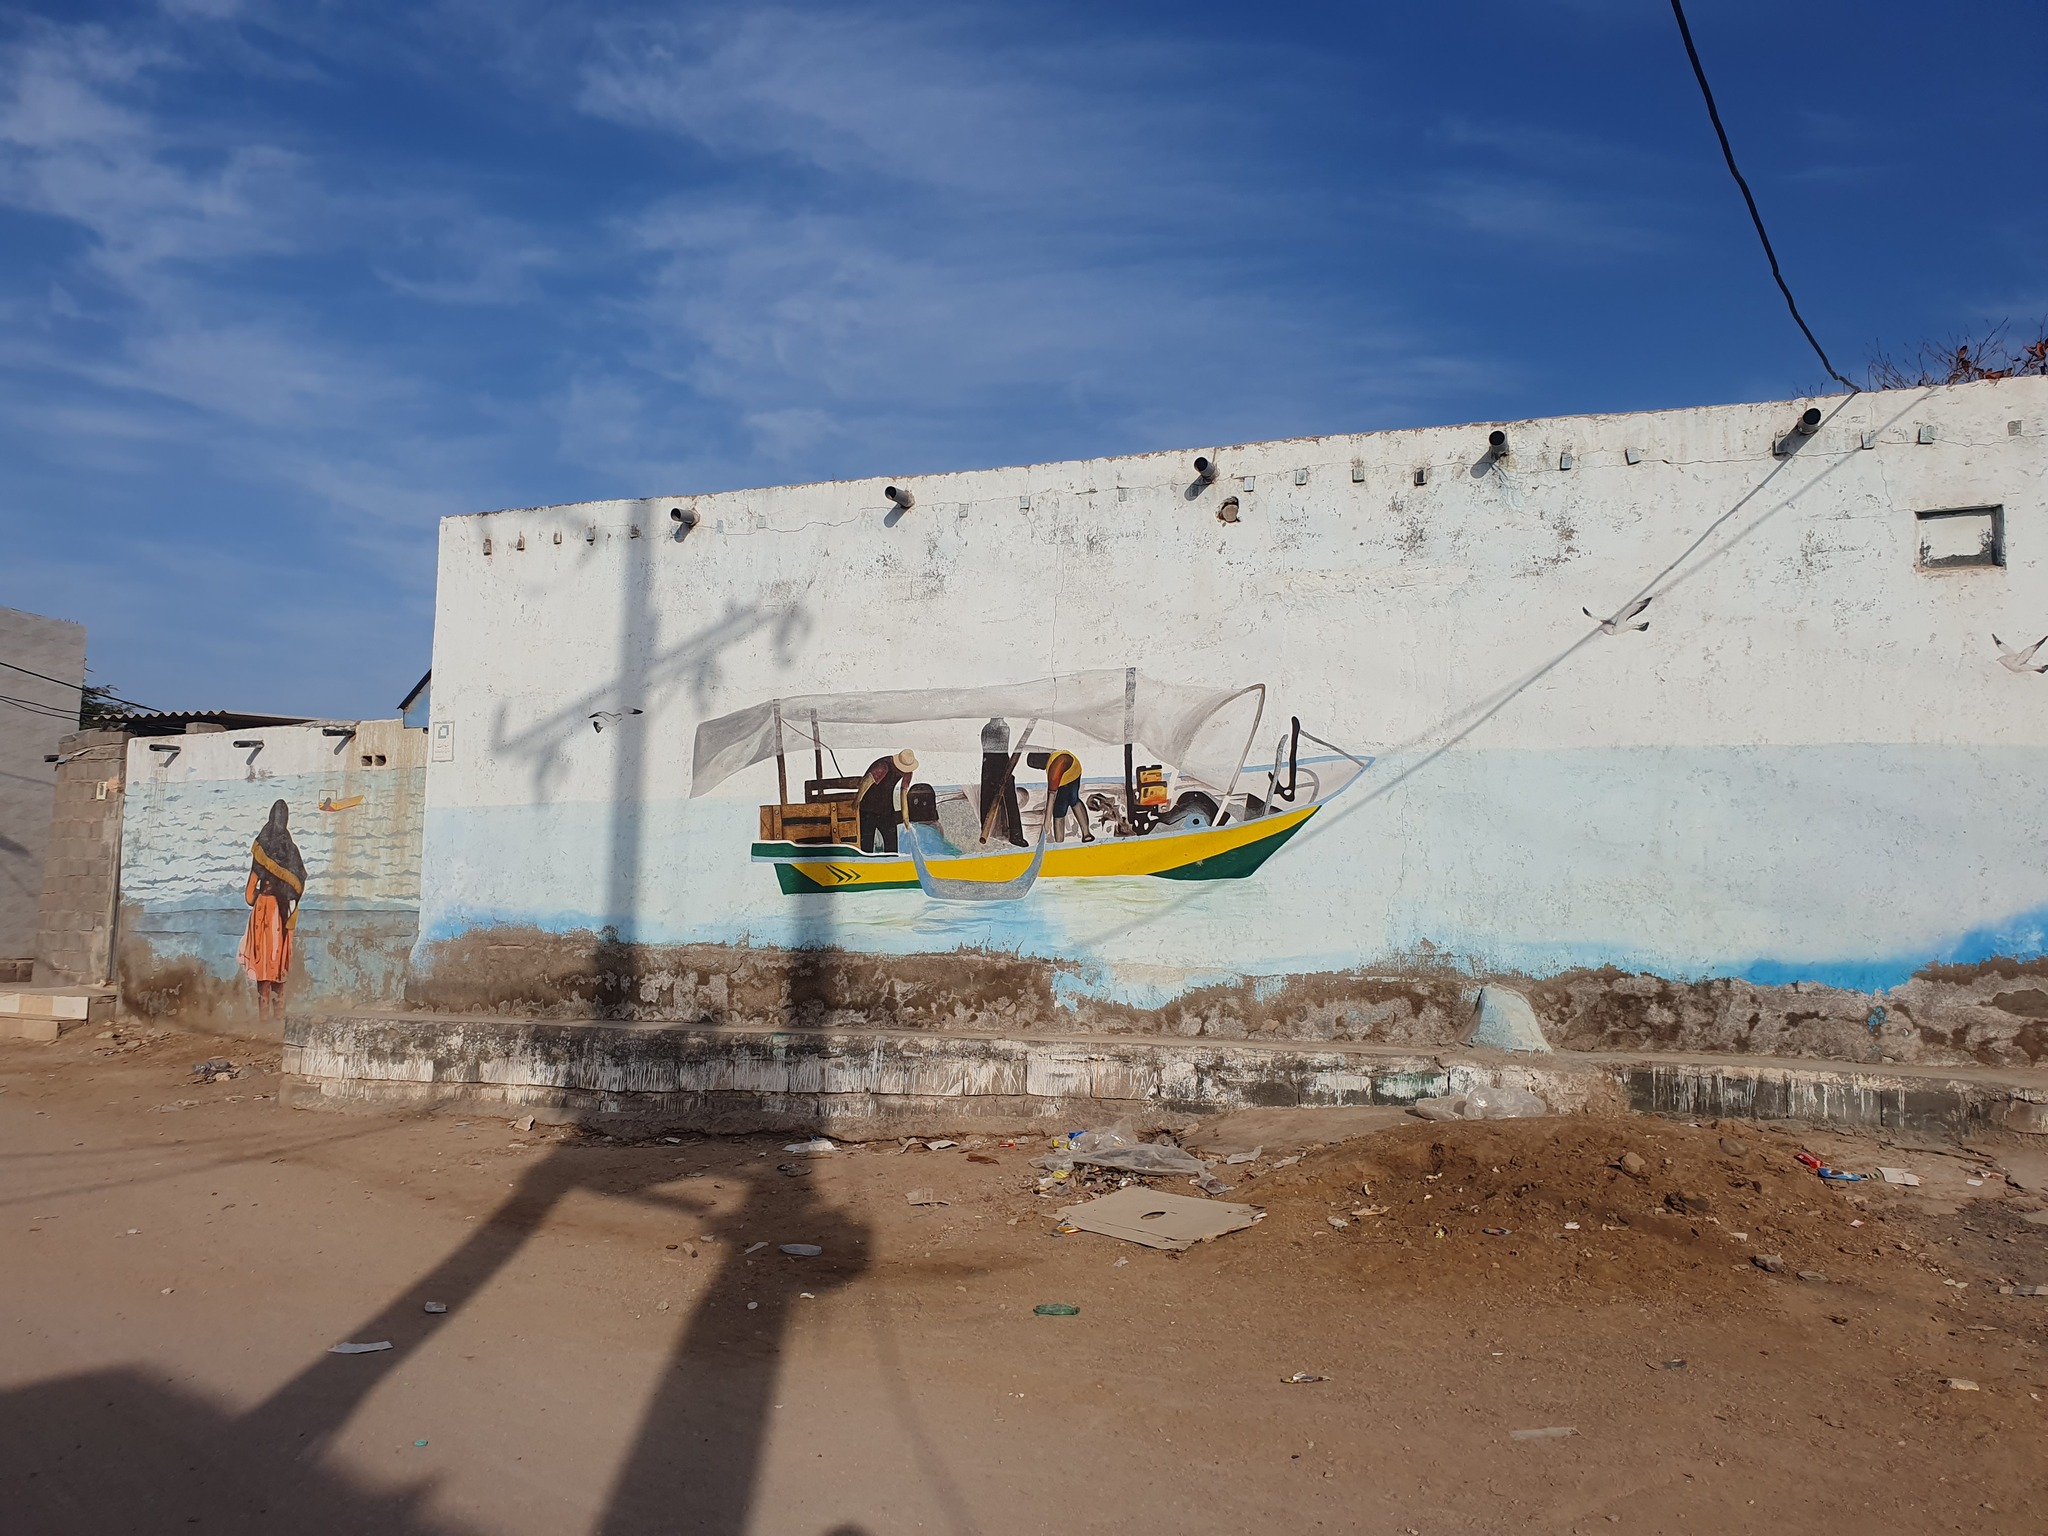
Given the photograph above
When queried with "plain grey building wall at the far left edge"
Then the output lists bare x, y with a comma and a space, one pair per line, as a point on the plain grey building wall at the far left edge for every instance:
34, 718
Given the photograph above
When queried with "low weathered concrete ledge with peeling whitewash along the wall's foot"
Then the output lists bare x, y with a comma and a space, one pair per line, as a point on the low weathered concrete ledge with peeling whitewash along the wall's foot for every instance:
890, 1082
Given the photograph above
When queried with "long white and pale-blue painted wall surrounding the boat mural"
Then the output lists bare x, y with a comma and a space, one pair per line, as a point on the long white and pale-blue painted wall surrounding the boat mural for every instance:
1801, 812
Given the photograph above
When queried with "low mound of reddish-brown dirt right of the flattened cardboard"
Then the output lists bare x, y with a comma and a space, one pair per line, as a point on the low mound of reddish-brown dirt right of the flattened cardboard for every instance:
1578, 1201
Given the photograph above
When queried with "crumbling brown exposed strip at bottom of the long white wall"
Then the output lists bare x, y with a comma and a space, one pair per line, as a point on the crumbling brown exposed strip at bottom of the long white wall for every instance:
1992, 1015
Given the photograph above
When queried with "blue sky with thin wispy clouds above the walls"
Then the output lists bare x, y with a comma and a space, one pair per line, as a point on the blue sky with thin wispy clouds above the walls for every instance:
286, 284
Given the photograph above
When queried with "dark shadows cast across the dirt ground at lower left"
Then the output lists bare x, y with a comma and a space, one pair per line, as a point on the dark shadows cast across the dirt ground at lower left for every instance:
120, 1453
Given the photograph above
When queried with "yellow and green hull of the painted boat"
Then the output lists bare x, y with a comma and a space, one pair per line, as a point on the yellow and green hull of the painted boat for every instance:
1211, 855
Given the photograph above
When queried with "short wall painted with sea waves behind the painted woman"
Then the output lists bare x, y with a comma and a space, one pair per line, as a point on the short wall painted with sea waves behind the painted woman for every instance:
198, 804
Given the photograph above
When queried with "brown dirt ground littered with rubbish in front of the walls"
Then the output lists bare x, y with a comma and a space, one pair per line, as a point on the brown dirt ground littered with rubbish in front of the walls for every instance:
620, 1355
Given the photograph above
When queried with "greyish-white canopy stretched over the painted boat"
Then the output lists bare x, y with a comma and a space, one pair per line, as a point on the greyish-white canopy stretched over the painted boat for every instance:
1111, 706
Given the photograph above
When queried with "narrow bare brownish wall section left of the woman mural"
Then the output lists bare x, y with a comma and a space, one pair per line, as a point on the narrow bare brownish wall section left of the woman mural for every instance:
83, 867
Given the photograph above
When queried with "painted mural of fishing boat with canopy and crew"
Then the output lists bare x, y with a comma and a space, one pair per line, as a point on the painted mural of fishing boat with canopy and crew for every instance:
1197, 814
